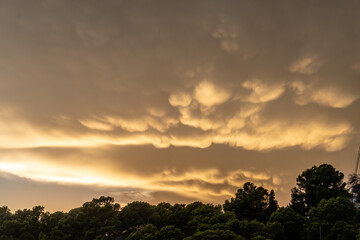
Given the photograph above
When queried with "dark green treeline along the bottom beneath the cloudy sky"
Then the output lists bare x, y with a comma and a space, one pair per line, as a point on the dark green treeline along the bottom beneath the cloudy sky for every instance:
322, 207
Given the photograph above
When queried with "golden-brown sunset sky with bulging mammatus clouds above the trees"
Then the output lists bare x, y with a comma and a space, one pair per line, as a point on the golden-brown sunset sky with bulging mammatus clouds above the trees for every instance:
173, 101
